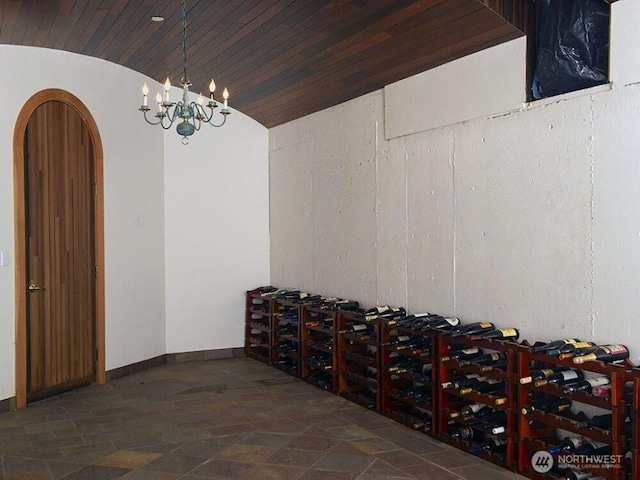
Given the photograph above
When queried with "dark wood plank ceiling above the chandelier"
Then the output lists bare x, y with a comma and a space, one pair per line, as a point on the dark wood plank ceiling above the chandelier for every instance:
281, 59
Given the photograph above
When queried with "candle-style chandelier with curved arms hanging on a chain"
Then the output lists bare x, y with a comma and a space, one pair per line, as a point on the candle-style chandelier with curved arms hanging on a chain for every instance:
189, 115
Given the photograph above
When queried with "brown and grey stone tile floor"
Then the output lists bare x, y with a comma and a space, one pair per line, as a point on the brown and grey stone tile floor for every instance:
219, 419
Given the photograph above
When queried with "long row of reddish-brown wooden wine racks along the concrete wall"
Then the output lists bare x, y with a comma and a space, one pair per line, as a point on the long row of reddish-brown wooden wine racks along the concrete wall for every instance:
357, 369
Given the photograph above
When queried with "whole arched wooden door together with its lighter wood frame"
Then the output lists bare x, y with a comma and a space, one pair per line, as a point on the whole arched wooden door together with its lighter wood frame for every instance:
59, 242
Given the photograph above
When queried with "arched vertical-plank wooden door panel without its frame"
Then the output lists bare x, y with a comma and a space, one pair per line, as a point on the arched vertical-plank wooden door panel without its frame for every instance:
60, 250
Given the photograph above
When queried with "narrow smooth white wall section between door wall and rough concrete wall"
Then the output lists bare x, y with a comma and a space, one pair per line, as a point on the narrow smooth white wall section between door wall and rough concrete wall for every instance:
216, 231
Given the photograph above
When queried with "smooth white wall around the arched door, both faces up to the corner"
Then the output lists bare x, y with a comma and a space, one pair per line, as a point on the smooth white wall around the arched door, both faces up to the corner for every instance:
215, 199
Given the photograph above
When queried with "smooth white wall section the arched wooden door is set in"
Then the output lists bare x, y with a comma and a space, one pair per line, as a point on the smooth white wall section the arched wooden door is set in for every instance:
133, 192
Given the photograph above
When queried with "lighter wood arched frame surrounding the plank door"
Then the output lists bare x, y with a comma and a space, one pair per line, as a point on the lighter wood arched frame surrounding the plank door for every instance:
53, 94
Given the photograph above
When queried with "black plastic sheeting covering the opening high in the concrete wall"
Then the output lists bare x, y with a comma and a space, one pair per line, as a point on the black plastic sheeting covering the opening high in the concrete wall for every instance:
573, 49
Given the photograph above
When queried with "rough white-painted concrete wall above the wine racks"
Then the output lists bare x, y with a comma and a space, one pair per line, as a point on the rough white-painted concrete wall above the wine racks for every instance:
526, 219
